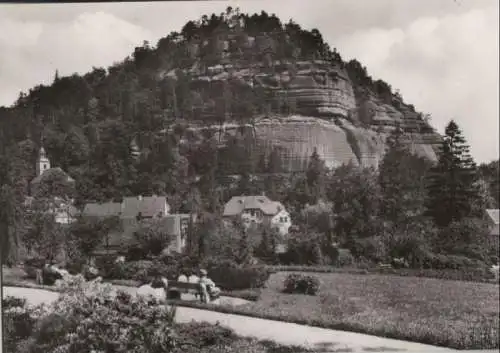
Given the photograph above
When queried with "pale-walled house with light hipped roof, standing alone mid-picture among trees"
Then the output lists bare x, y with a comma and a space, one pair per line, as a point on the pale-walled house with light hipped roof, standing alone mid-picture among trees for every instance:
254, 210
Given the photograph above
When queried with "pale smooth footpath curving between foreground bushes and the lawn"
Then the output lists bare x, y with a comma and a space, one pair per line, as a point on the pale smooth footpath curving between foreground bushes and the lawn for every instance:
280, 332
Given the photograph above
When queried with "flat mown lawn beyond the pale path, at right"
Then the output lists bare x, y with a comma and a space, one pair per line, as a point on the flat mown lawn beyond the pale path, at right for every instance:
439, 312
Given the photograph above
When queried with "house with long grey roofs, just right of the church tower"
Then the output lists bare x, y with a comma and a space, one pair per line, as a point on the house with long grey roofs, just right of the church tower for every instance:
134, 212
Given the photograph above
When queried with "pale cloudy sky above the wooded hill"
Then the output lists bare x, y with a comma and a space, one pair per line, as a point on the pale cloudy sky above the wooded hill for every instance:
442, 55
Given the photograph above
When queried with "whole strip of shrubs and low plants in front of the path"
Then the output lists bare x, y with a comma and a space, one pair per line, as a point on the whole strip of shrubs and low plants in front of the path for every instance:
91, 317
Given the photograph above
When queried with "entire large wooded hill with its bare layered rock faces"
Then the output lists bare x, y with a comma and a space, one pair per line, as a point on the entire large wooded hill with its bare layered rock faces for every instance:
238, 88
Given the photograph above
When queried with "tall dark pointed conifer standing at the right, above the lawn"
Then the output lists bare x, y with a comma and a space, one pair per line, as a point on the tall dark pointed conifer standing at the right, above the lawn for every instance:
452, 186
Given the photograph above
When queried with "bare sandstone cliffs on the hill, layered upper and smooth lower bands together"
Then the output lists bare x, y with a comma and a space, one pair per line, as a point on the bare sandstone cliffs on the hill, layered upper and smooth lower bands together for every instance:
345, 124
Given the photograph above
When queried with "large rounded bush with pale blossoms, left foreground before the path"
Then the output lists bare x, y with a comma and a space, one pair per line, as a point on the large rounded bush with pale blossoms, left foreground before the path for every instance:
91, 316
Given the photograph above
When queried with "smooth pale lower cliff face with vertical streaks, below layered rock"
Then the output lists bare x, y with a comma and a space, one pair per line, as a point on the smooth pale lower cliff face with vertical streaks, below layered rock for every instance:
296, 137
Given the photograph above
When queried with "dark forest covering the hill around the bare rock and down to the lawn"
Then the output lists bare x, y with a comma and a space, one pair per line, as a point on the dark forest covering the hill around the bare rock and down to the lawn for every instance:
121, 131
